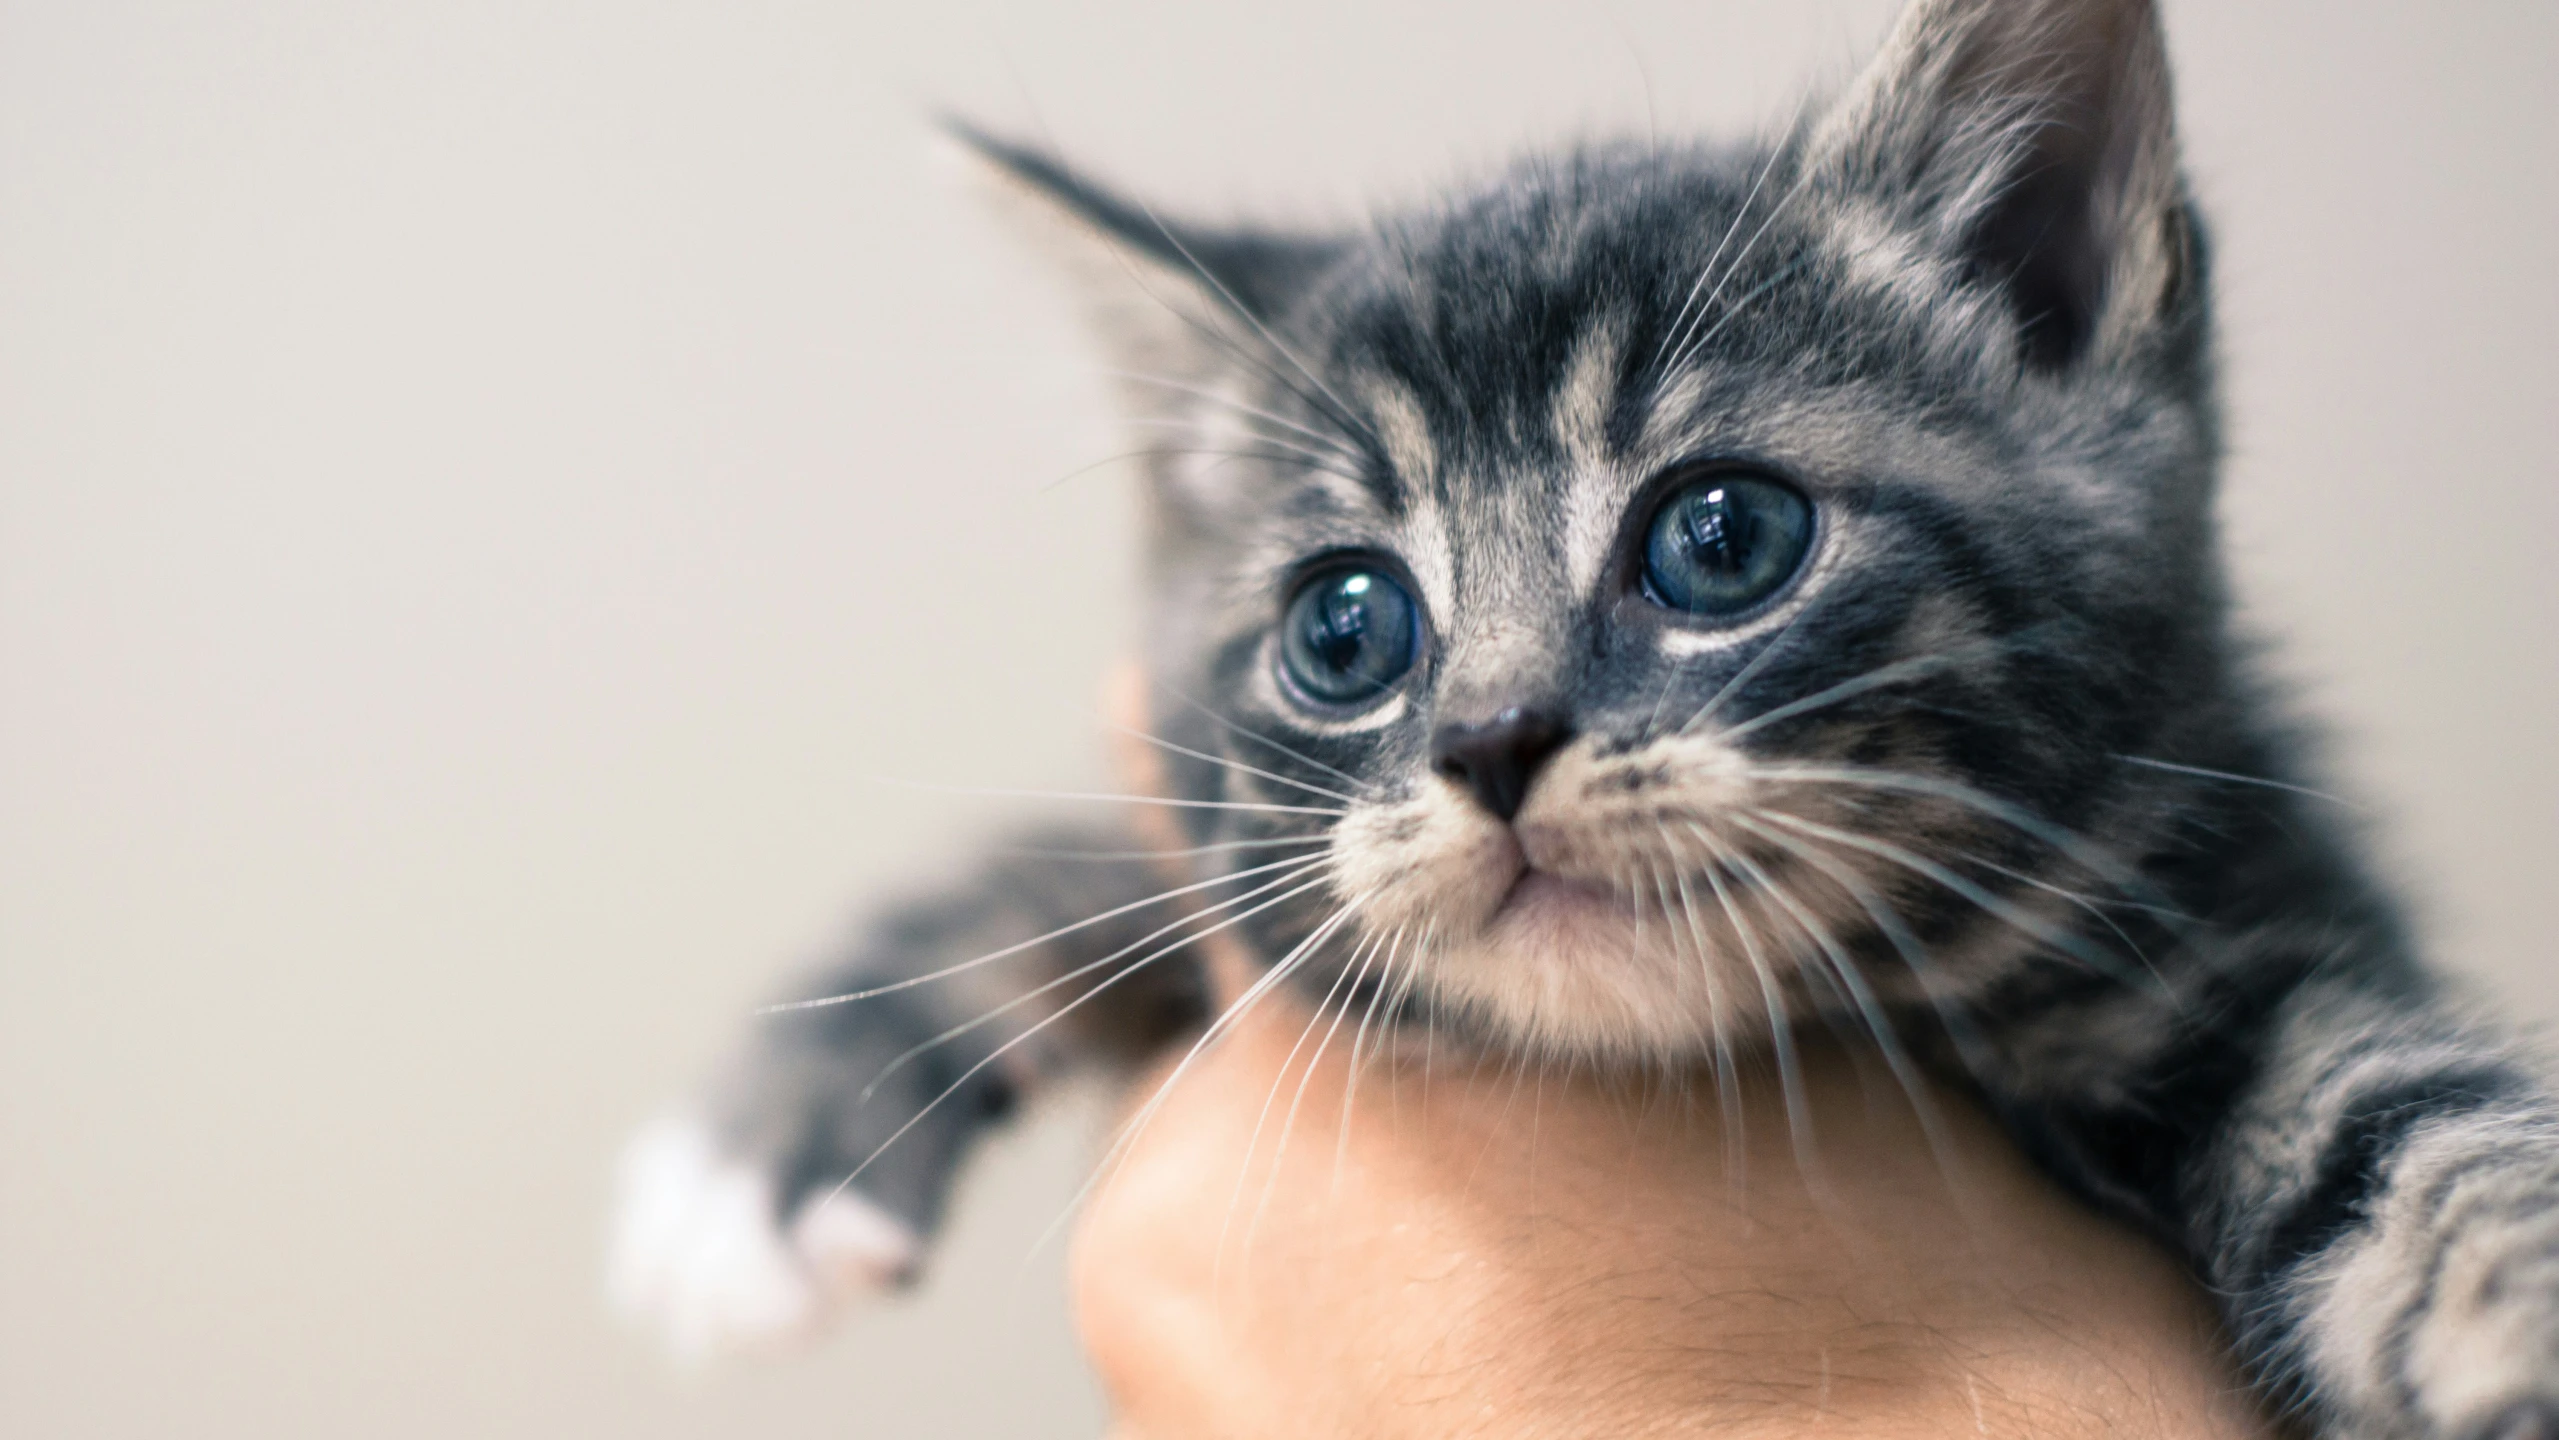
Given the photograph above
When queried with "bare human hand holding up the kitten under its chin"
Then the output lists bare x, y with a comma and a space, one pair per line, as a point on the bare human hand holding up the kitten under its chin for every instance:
1470, 1249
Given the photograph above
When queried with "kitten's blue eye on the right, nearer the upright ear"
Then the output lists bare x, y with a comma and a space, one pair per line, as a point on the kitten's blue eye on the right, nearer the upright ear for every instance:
1726, 544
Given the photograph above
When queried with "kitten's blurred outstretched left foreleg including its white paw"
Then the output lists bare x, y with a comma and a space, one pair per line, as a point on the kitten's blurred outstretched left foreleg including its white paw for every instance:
736, 1219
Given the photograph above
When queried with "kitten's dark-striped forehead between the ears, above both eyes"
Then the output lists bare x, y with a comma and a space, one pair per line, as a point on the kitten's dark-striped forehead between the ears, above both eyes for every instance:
1626, 303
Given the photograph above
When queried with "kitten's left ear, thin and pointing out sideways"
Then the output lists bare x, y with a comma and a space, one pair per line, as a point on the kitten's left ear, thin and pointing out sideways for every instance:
1168, 298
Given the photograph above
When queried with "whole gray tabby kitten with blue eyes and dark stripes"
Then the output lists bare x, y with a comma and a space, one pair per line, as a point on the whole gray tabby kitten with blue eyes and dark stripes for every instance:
1670, 597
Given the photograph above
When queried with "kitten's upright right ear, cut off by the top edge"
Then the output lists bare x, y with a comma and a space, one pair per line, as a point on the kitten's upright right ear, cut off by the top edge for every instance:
2036, 137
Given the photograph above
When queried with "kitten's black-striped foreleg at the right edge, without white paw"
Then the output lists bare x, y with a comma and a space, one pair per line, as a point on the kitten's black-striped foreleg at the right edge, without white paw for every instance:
2368, 1186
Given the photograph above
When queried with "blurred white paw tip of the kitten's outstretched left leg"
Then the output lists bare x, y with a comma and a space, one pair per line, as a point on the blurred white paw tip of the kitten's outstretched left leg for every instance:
700, 1260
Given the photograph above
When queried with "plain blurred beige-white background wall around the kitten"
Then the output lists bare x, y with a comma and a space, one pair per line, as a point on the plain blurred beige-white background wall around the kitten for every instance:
487, 487
